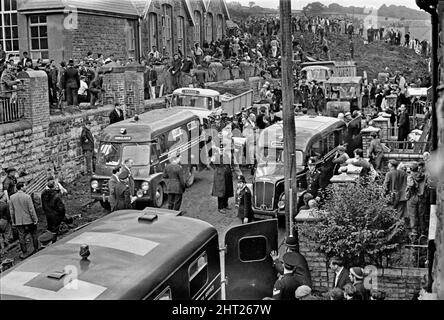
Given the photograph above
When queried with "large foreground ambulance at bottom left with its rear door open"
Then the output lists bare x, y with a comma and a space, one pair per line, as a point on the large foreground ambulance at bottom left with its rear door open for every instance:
154, 254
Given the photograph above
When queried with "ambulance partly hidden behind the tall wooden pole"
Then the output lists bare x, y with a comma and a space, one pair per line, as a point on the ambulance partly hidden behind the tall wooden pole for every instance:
315, 136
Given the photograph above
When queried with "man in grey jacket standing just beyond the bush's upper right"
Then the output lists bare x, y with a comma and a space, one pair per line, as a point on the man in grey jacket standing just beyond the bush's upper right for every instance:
395, 185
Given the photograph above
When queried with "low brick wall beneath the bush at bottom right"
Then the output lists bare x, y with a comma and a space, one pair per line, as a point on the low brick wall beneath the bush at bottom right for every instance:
398, 283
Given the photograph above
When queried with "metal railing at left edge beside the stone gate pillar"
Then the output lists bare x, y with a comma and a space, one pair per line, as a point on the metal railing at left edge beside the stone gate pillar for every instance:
12, 106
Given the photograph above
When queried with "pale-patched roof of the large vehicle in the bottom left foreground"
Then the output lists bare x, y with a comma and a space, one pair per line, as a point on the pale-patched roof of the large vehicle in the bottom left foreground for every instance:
127, 258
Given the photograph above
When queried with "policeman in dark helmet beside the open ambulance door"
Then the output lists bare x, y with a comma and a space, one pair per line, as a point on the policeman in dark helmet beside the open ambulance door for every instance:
301, 271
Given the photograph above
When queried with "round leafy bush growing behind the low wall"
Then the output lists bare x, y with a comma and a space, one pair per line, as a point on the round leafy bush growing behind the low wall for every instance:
357, 224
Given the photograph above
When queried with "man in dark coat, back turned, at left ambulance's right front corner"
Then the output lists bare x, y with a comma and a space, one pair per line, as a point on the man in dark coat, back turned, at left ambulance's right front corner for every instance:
175, 183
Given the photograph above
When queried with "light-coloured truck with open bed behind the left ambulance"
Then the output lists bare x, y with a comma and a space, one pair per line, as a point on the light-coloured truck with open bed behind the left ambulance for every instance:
203, 102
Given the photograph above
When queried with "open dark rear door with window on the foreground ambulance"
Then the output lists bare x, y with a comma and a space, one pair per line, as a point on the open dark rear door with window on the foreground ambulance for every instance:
248, 266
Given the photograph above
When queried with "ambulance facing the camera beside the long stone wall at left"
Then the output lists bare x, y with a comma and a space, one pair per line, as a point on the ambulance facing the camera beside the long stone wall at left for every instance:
150, 141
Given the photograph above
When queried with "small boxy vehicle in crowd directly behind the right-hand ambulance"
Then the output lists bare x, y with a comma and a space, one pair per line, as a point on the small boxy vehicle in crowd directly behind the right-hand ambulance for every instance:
344, 89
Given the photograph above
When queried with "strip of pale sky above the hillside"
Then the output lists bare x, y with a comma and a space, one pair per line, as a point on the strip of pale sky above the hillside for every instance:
299, 4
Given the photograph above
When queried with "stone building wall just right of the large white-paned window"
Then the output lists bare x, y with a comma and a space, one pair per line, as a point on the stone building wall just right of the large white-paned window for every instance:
100, 34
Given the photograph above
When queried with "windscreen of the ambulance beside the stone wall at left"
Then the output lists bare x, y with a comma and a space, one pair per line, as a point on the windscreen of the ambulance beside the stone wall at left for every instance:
112, 154
